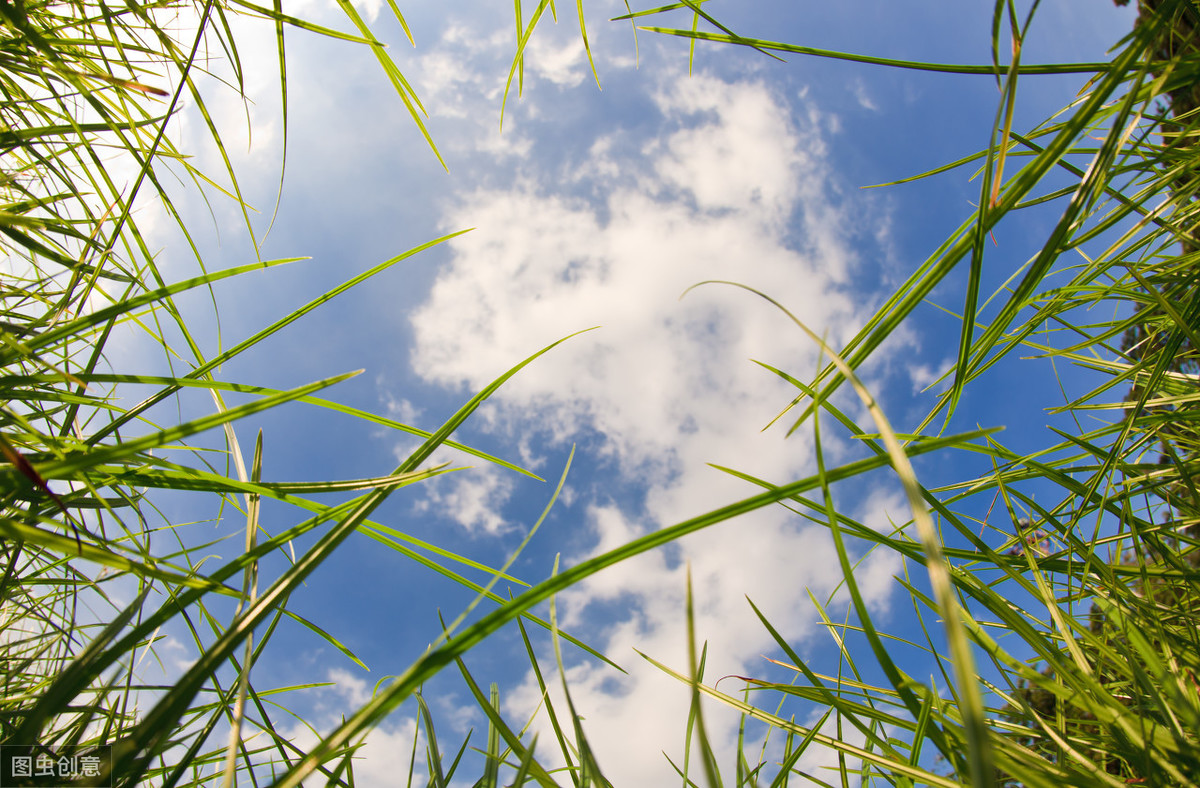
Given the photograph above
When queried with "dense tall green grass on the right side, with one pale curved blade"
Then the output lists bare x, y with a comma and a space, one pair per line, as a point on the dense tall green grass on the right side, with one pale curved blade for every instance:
1076, 598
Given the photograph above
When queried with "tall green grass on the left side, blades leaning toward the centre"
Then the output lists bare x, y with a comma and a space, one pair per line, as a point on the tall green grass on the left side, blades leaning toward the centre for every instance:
89, 97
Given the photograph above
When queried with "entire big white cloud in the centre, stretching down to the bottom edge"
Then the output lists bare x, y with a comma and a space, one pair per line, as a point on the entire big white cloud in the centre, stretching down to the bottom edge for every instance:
735, 187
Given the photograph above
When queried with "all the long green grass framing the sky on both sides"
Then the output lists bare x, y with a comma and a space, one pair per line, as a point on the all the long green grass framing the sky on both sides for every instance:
1091, 681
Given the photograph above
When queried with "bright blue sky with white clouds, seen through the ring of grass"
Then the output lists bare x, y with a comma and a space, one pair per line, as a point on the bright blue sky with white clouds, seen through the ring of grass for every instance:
598, 208
